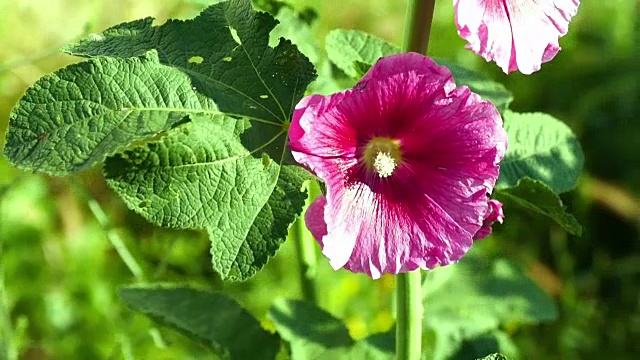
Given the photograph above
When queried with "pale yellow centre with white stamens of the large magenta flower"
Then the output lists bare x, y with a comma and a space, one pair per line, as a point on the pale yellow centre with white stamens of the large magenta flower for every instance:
382, 155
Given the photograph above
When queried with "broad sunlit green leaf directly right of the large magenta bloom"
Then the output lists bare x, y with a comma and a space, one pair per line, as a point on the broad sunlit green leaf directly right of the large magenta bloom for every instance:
542, 148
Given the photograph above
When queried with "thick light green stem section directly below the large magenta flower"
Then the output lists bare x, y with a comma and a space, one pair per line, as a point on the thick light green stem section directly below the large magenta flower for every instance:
408, 316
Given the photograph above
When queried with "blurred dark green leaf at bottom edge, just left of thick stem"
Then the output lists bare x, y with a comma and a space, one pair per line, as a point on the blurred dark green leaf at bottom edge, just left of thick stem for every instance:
316, 334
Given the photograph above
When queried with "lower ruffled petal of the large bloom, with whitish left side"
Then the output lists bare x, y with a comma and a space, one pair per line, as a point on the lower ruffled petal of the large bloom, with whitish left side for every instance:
389, 232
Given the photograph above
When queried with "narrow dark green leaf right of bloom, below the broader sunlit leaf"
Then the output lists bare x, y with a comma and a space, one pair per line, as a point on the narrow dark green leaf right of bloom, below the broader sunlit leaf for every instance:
535, 195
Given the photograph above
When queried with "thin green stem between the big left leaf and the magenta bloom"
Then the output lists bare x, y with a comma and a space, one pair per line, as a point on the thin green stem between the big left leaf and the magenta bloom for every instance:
306, 248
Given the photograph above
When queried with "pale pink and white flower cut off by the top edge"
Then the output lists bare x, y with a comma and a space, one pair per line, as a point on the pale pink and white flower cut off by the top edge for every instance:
516, 34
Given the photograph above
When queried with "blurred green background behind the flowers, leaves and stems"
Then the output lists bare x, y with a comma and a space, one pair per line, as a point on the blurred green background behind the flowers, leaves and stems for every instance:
62, 259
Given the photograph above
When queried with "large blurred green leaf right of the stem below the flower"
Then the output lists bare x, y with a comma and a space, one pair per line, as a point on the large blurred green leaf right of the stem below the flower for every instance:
476, 296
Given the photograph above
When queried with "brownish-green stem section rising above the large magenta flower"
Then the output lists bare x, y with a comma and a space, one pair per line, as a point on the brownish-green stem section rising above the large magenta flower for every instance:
418, 25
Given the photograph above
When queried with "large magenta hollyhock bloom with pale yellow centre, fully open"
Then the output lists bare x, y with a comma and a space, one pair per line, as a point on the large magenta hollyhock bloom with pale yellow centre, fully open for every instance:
408, 160
